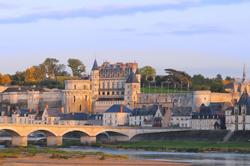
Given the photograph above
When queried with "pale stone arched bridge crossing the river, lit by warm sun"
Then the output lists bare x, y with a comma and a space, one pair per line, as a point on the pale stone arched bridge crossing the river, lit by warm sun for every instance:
55, 133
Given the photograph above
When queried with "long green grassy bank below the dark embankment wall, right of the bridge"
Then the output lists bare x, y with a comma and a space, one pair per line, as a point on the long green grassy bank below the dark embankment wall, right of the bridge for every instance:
185, 146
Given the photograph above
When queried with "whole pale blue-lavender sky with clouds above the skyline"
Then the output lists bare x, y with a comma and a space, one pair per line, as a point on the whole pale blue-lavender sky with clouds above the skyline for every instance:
197, 36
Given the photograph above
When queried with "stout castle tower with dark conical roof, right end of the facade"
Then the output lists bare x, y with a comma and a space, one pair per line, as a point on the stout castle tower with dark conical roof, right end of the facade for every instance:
132, 90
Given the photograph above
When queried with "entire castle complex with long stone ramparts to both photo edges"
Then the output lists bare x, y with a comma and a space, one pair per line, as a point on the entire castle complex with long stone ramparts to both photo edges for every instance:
110, 84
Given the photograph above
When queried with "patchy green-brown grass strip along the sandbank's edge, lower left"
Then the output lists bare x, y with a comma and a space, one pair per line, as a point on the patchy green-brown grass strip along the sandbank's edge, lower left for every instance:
53, 153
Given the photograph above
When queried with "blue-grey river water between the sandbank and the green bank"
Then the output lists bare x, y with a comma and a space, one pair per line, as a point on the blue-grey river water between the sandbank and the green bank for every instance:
194, 159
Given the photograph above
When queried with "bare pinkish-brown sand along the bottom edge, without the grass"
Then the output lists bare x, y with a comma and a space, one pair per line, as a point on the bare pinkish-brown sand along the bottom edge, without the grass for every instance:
45, 160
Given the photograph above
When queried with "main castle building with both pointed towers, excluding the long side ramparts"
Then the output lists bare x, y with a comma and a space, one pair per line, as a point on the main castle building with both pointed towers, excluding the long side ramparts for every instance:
108, 84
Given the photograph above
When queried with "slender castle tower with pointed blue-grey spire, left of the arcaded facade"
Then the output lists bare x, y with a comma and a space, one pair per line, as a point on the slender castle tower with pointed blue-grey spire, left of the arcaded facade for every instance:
95, 80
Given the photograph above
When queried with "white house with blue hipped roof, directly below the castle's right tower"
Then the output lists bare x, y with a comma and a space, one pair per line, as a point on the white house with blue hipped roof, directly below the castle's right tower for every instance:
117, 115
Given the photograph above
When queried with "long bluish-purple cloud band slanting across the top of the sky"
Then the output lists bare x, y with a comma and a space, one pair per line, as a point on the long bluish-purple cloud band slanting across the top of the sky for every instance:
111, 10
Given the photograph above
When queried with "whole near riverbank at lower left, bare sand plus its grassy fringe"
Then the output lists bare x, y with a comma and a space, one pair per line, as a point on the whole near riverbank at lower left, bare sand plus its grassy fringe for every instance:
32, 156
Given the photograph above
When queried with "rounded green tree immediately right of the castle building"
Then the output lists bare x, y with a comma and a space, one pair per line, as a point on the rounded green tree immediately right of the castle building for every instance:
148, 73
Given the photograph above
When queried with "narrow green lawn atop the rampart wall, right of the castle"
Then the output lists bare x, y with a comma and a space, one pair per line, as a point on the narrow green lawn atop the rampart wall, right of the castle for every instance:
162, 90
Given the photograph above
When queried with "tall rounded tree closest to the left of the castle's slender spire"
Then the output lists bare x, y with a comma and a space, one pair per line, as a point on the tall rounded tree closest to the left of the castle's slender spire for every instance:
77, 67
